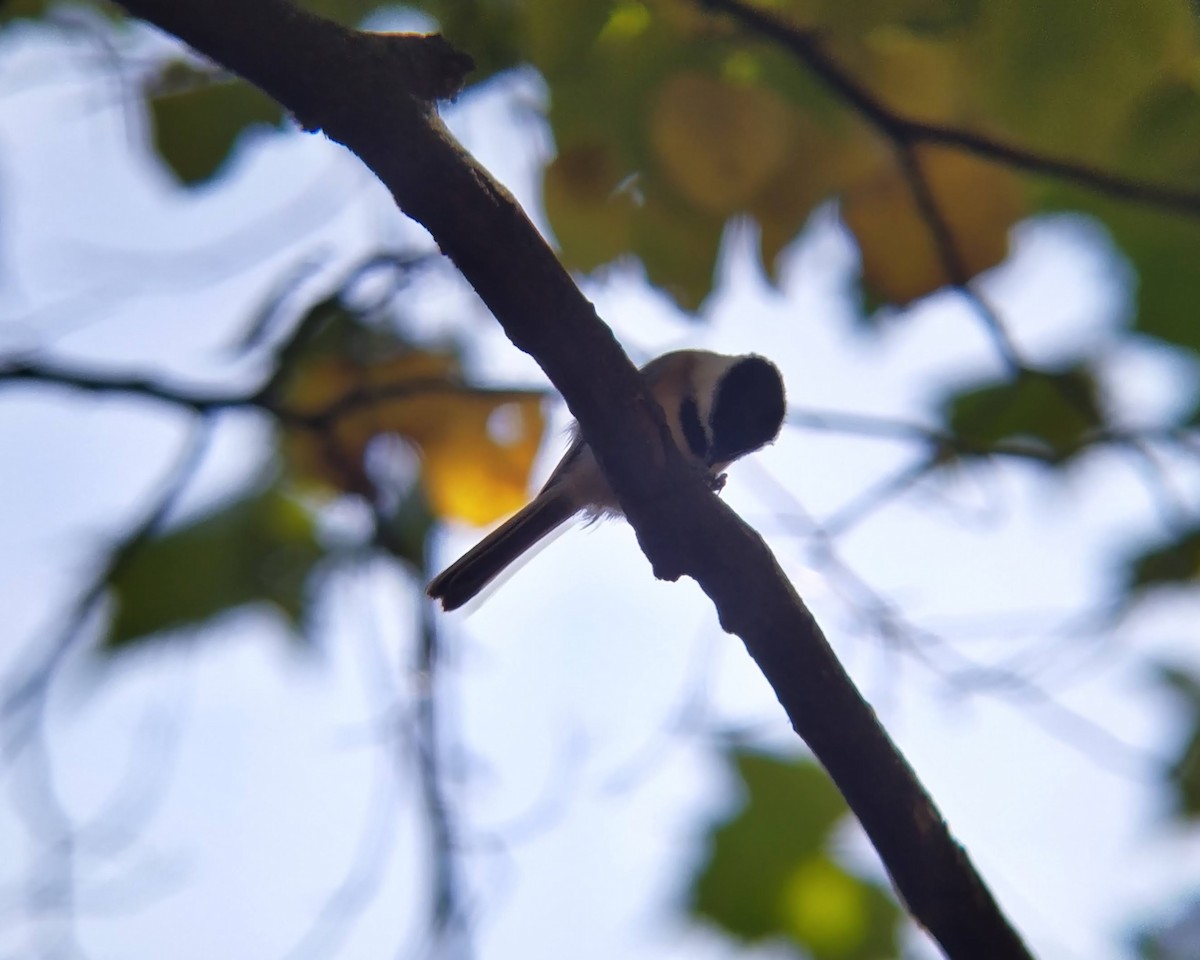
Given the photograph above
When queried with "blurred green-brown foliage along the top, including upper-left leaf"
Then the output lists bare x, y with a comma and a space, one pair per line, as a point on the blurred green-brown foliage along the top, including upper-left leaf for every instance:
670, 121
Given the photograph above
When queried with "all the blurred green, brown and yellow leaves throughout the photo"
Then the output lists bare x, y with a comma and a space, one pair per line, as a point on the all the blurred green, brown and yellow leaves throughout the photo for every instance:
670, 121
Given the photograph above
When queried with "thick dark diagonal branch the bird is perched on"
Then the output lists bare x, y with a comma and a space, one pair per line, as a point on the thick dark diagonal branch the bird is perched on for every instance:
375, 94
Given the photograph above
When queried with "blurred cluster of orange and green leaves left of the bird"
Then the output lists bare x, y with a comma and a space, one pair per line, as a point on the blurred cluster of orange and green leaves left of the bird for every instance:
344, 383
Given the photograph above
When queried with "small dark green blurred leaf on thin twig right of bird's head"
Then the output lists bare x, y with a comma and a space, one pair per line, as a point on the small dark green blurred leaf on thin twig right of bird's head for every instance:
1054, 410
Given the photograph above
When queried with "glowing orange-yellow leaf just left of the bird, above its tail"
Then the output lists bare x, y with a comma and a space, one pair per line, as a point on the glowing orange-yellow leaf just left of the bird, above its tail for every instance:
477, 447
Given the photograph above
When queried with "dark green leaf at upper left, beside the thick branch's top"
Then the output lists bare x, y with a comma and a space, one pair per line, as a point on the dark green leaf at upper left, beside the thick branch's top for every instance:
199, 118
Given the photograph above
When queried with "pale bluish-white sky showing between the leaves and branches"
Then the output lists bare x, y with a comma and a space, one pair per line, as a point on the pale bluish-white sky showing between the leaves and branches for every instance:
244, 799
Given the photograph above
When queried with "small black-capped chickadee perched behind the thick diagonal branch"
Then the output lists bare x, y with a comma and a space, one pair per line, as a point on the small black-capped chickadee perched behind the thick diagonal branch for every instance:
718, 409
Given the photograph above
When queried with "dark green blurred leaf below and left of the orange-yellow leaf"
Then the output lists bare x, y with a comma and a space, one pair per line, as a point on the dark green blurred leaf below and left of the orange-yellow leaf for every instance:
262, 549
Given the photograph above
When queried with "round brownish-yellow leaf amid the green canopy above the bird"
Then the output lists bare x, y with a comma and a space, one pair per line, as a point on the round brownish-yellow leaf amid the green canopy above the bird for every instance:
717, 143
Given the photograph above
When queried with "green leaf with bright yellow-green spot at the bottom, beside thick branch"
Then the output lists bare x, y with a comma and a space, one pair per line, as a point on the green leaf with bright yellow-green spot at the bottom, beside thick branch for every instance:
769, 874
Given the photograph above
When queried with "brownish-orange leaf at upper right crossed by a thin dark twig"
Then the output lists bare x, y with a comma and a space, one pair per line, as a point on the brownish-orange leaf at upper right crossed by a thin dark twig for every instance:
977, 201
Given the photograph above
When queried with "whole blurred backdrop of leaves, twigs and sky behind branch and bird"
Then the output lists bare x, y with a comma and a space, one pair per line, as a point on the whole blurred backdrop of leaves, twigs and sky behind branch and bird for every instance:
248, 410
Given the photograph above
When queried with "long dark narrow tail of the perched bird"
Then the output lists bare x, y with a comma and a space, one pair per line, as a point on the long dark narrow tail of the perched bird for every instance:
489, 559
